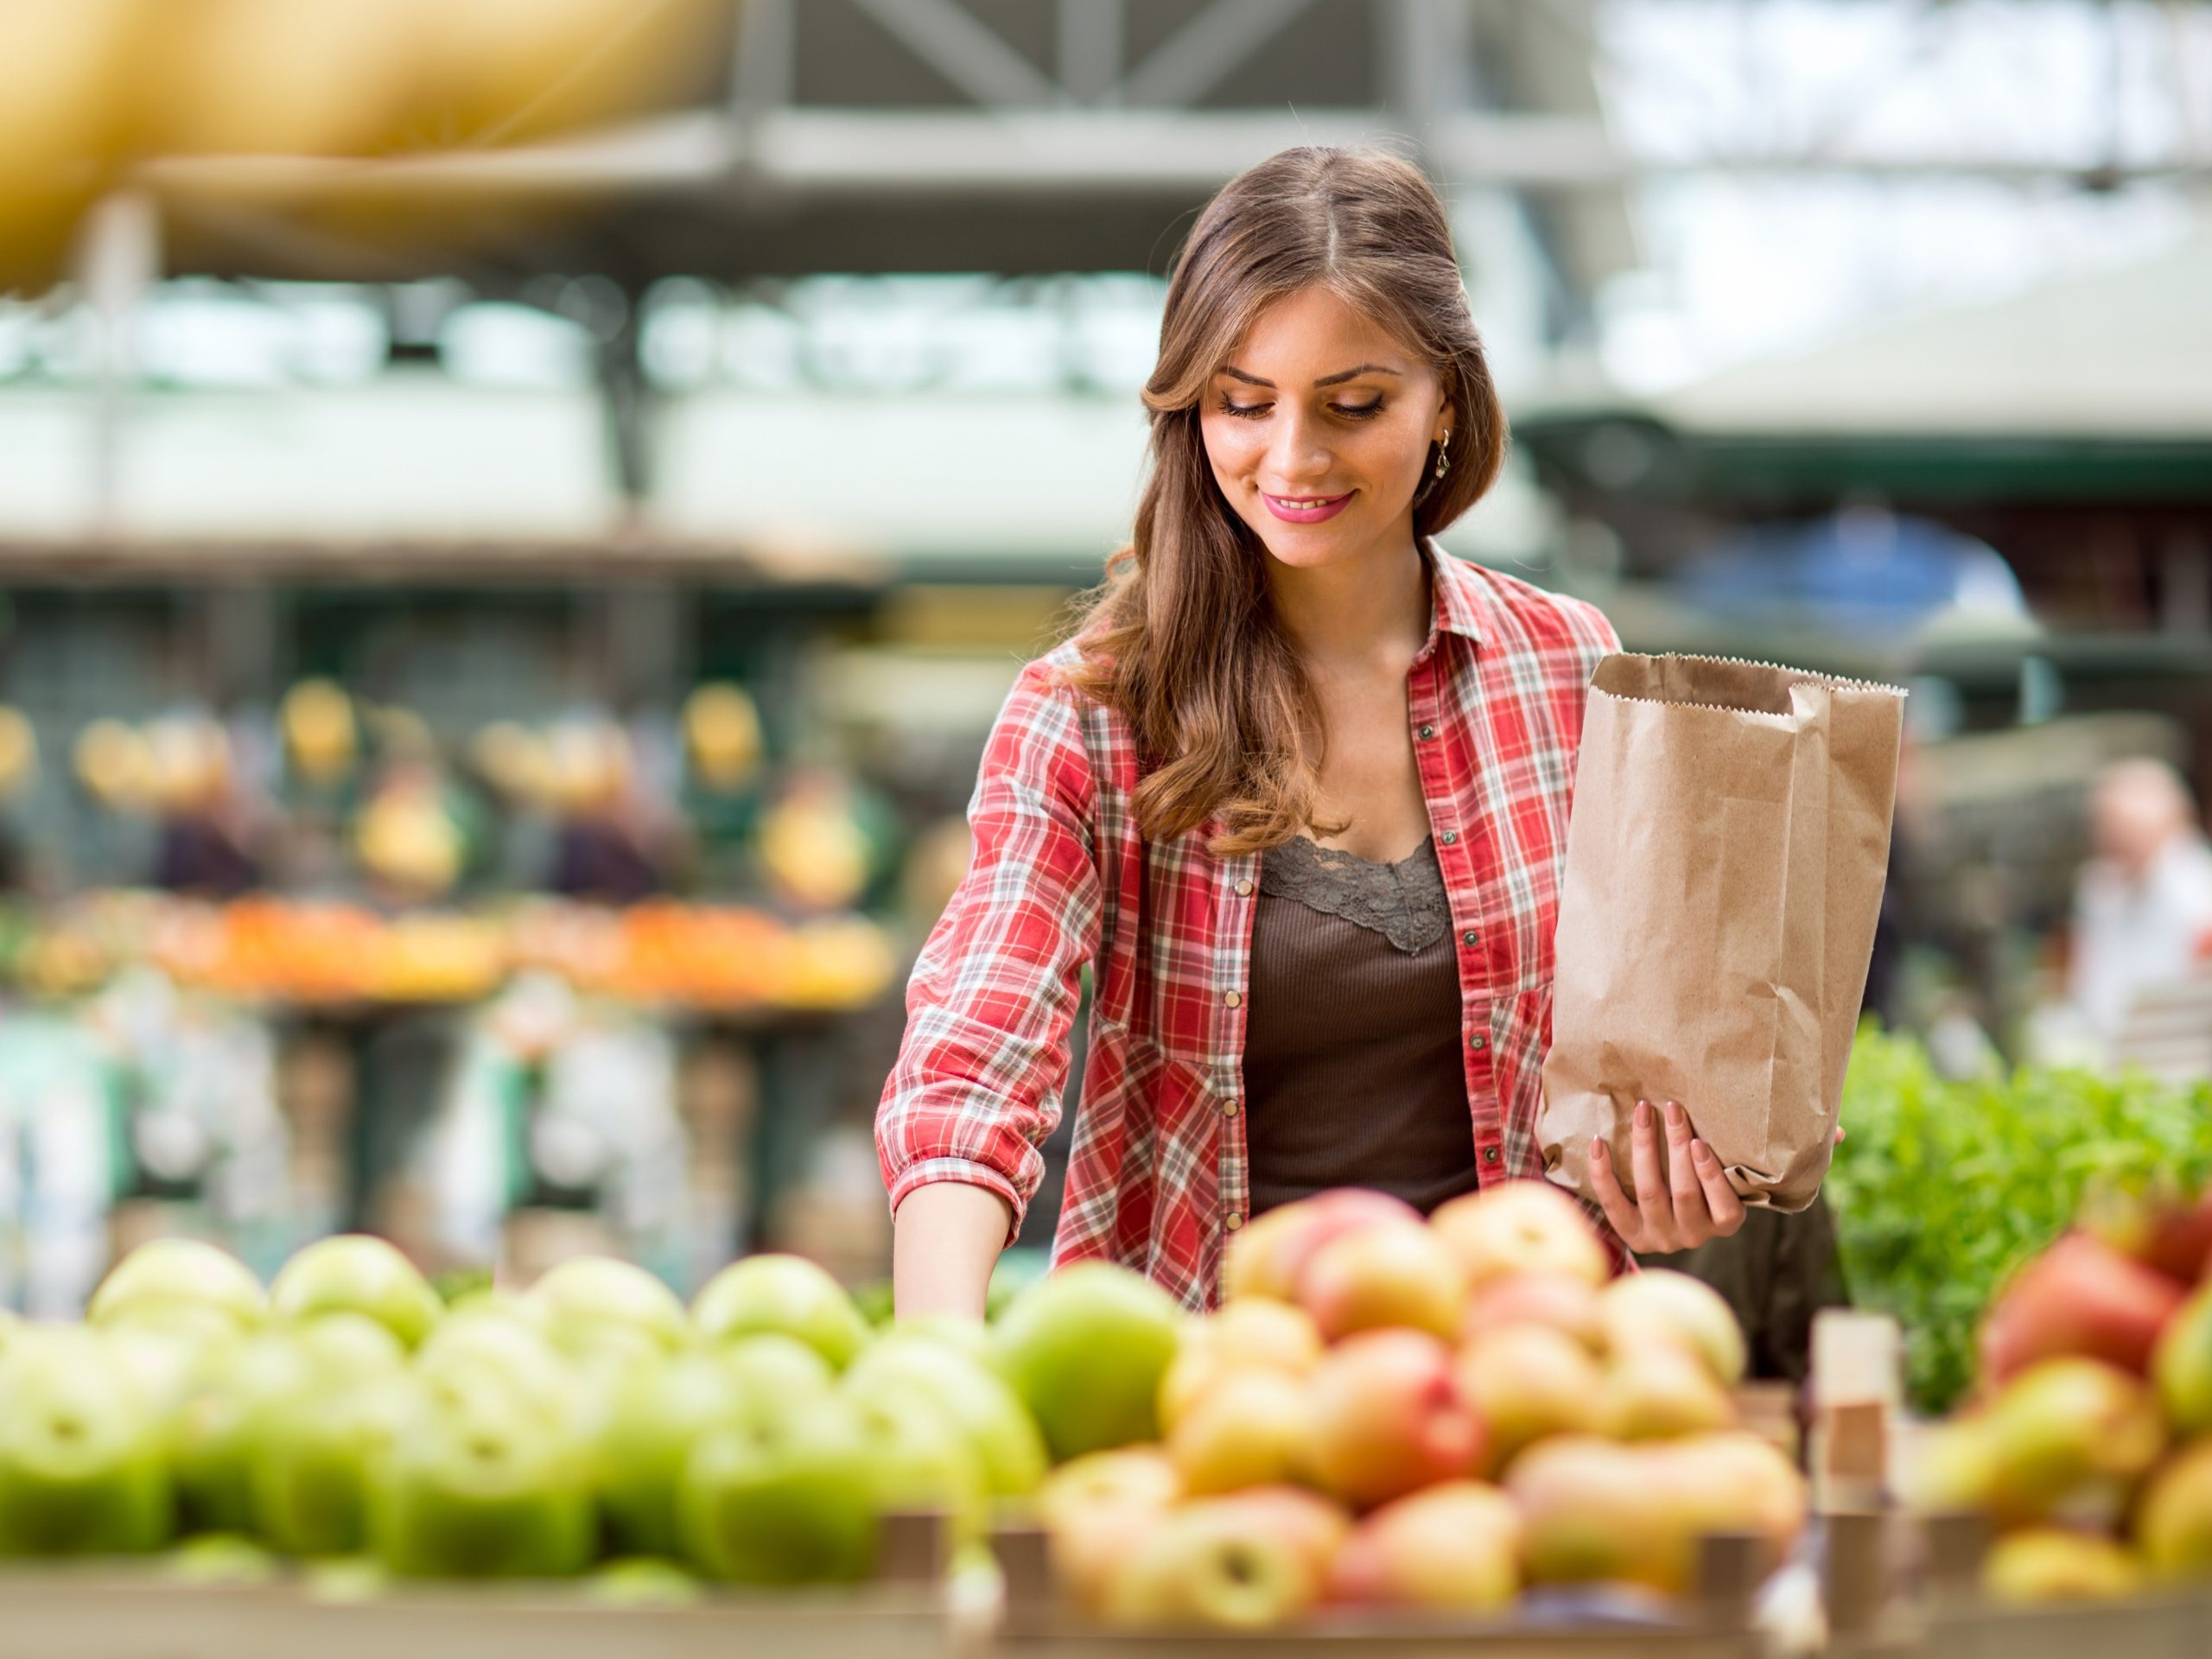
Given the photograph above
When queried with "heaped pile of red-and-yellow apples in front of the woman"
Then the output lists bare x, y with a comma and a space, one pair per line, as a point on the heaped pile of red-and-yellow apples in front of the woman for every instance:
1406, 1415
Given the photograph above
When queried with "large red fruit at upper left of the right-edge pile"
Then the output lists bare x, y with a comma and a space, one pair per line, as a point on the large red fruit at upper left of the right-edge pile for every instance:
2078, 1297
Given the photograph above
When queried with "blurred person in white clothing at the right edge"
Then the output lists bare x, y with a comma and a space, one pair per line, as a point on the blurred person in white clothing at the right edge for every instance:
2145, 897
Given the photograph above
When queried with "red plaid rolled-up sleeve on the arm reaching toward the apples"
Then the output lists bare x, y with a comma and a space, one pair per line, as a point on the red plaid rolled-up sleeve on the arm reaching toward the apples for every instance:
994, 990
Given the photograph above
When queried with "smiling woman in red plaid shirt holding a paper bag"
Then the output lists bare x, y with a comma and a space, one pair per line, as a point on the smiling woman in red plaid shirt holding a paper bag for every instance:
1295, 791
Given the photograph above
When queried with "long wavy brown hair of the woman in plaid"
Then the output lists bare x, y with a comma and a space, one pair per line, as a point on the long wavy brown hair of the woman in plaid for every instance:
1182, 636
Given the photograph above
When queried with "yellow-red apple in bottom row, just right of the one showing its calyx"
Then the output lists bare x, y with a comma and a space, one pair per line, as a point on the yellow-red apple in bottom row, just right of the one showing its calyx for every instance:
1452, 1547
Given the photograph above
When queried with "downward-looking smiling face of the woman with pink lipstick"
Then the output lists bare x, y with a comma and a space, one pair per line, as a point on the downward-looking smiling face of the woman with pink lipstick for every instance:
1319, 428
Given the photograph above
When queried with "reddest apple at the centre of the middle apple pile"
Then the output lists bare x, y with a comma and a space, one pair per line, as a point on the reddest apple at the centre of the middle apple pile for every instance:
1390, 1419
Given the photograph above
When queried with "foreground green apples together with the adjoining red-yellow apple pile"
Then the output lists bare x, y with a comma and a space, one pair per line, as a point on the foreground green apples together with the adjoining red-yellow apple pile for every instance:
1388, 1415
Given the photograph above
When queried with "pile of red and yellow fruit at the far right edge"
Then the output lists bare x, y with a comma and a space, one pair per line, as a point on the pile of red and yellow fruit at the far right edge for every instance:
2089, 1439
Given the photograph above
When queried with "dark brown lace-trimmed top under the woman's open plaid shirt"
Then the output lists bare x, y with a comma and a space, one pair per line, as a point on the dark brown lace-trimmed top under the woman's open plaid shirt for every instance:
1353, 1034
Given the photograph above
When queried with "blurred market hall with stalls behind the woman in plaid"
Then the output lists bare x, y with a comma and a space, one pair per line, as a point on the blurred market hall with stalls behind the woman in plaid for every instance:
517, 517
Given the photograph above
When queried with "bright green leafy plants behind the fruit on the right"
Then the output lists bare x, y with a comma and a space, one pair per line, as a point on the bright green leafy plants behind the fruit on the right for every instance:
1945, 1187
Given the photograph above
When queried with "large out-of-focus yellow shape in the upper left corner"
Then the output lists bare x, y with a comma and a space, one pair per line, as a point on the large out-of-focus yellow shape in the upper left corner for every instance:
96, 87
